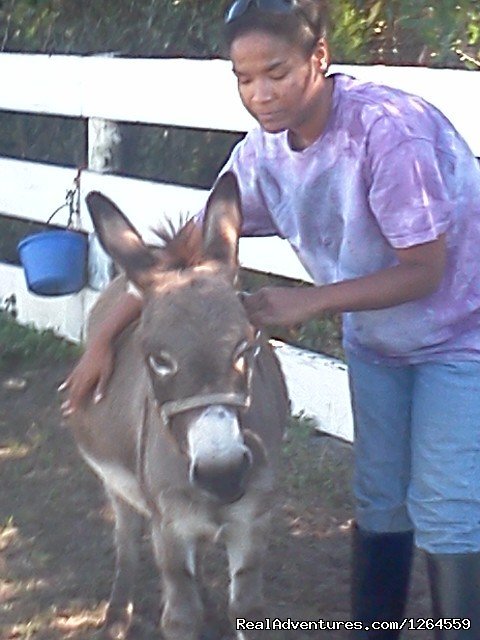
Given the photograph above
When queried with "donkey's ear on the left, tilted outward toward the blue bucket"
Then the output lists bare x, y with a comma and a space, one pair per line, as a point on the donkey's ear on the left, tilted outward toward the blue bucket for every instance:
120, 239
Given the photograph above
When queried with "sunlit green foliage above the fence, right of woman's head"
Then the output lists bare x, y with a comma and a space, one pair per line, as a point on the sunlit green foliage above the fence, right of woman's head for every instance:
407, 32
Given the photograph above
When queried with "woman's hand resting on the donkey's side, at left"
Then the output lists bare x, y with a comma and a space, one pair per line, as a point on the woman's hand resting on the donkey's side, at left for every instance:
90, 377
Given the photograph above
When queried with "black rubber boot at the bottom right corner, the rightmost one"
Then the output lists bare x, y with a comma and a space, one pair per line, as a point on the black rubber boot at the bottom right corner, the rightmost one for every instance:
455, 586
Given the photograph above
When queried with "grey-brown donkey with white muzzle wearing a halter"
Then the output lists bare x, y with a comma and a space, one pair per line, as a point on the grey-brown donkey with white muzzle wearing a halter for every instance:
189, 432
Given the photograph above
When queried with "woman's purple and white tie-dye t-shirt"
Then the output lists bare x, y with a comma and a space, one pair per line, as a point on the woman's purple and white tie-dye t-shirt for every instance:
388, 172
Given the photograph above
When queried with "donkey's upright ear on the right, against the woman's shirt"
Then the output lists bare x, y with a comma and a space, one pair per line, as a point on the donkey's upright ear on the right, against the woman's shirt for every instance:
222, 222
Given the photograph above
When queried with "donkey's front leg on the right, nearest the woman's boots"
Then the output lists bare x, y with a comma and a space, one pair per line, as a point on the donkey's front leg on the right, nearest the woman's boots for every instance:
246, 540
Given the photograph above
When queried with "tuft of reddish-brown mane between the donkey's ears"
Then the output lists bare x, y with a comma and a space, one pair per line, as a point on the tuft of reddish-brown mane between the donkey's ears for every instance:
181, 247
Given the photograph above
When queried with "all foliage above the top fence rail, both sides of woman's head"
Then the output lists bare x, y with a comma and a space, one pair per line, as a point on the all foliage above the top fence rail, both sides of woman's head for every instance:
441, 33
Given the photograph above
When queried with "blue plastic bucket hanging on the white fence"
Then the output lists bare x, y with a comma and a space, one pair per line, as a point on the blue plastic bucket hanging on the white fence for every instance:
55, 262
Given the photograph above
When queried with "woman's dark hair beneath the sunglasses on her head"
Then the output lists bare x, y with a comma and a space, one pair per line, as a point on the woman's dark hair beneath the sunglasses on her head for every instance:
303, 27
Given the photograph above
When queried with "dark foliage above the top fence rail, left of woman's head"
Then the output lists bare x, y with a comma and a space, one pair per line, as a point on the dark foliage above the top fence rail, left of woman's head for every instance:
125, 27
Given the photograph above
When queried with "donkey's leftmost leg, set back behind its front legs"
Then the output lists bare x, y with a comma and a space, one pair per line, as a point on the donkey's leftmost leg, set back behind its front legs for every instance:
128, 529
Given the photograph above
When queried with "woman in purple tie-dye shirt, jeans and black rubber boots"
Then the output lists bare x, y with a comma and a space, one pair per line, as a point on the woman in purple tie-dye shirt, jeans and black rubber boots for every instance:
380, 198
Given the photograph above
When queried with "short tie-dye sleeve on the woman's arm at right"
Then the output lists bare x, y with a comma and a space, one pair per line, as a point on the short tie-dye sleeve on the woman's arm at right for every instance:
408, 192
